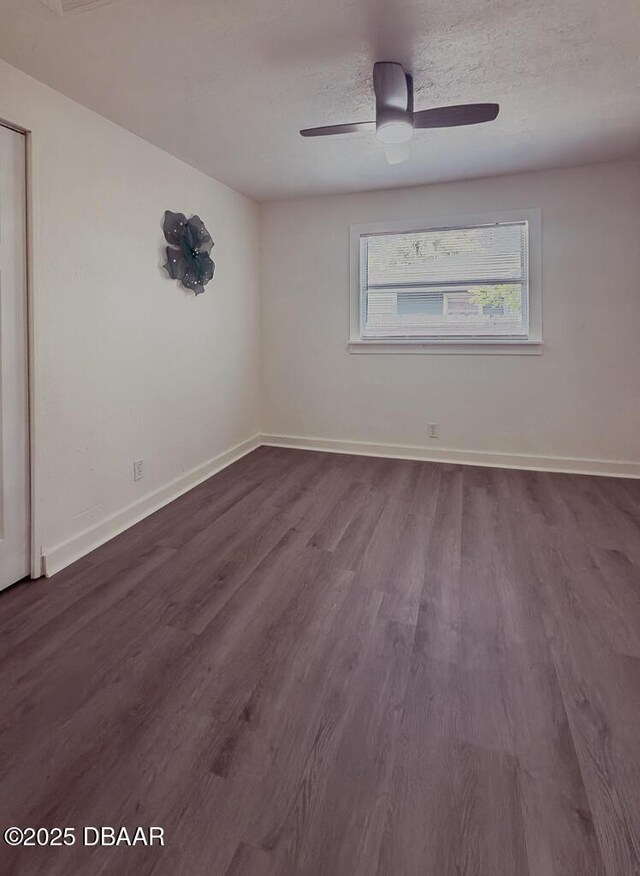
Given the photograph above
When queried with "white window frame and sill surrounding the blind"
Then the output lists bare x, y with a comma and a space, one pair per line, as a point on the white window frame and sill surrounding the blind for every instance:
532, 344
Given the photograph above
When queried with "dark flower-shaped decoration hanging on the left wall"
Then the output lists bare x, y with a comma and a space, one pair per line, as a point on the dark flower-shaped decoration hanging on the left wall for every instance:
188, 252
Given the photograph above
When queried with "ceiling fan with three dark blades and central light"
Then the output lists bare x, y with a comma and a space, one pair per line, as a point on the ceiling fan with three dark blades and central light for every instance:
395, 119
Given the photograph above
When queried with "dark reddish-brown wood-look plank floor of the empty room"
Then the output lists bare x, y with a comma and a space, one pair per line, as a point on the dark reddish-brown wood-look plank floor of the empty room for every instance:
323, 665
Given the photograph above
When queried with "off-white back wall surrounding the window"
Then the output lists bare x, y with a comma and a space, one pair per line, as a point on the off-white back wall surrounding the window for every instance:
581, 398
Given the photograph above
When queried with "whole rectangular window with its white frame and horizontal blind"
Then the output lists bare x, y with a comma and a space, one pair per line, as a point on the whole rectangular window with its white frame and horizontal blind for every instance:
460, 283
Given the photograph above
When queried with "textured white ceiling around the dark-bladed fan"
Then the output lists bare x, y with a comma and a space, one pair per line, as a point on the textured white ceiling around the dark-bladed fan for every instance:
226, 84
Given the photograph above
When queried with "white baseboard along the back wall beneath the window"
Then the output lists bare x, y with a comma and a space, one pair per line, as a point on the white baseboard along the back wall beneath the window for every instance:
574, 465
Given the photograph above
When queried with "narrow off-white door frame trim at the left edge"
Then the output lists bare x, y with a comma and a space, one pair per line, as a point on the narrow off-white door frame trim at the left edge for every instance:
32, 286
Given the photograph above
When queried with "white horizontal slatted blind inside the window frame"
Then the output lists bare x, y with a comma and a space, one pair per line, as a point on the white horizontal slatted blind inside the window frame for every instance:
445, 283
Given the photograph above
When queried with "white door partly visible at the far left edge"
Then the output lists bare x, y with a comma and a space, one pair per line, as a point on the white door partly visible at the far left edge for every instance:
14, 412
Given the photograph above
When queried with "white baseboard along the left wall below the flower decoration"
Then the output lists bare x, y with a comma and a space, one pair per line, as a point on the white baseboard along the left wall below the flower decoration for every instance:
56, 558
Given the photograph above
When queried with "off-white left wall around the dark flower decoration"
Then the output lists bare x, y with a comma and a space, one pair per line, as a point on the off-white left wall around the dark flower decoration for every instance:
128, 364
